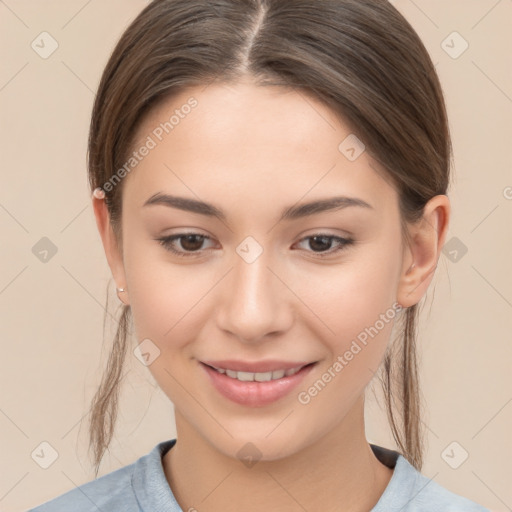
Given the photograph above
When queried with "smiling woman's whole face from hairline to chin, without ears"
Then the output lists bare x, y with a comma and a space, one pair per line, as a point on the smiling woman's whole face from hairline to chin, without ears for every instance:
251, 284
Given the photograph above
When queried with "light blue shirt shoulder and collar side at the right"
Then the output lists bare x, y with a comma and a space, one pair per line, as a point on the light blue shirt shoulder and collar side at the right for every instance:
410, 491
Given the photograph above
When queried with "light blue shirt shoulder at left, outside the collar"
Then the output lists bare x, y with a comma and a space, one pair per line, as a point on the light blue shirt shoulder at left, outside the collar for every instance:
112, 489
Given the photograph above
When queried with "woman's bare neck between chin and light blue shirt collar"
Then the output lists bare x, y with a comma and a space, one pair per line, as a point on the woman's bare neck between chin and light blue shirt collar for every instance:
339, 468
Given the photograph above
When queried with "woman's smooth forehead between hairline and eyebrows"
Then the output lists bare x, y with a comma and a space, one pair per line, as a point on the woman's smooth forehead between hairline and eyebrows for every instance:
244, 140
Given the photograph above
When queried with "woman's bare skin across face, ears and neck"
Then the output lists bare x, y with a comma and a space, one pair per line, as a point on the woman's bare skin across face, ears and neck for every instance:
253, 151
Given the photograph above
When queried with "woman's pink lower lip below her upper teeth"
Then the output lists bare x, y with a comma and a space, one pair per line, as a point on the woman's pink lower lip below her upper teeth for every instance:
255, 394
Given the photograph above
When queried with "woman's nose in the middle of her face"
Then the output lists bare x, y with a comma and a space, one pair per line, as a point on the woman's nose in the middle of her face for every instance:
255, 302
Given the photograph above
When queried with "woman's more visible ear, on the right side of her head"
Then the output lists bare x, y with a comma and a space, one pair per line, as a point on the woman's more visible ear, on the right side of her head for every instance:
422, 254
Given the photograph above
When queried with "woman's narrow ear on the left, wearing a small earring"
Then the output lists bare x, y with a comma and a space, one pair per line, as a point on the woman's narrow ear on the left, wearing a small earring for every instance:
112, 251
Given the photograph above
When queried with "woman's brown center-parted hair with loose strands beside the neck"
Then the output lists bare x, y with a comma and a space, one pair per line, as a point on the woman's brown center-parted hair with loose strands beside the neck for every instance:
360, 57
